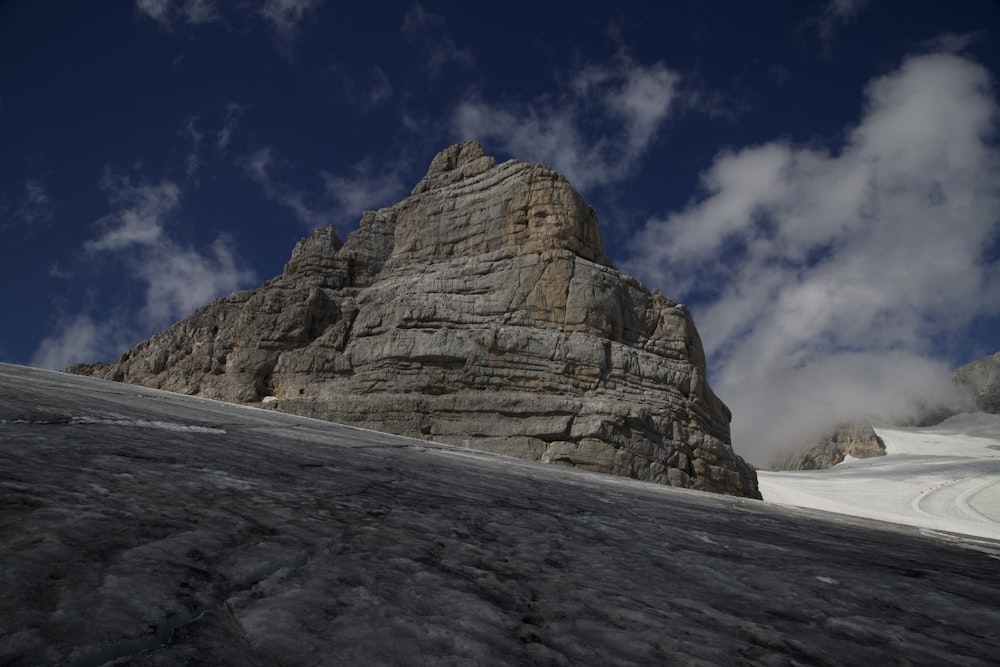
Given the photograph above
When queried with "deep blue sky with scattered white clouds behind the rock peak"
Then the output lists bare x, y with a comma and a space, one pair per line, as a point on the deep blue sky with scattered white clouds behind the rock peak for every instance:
818, 181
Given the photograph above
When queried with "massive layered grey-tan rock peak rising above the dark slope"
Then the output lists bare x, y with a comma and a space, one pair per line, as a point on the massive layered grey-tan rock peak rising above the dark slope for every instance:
479, 311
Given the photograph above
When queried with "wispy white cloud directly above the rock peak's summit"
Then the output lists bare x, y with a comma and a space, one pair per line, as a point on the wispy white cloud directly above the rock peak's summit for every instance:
630, 102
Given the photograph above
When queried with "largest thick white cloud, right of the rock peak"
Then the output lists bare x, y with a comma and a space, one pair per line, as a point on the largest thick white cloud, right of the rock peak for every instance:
847, 265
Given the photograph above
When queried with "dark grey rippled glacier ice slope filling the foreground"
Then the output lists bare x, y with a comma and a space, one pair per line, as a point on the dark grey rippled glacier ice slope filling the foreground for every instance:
150, 528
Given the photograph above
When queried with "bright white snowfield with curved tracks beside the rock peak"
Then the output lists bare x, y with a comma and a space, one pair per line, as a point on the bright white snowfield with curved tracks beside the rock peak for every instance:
944, 477
